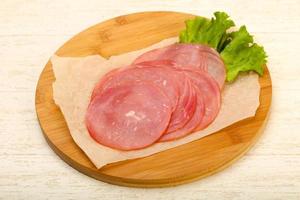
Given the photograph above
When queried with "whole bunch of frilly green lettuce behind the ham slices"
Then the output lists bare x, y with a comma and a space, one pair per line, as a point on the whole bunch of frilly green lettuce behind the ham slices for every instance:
237, 49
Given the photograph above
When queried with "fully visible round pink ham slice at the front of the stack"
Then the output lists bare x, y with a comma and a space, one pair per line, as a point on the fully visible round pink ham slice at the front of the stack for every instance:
128, 116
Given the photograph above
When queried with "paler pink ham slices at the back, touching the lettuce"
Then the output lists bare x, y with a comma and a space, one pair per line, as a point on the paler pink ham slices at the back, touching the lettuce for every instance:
192, 56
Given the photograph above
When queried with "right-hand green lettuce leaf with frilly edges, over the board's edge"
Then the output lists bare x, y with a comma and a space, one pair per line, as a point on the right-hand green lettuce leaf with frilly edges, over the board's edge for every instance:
241, 55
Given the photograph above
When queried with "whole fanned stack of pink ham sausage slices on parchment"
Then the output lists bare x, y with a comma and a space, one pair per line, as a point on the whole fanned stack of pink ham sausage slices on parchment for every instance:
164, 95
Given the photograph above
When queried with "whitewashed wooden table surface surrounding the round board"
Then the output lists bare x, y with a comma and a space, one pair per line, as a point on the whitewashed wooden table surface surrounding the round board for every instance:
30, 31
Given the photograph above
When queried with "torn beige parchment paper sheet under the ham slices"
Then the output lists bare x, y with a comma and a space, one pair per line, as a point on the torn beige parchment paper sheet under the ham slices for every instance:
75, 80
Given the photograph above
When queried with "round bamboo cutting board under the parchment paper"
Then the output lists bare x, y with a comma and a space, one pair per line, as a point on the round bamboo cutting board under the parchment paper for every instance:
179, 165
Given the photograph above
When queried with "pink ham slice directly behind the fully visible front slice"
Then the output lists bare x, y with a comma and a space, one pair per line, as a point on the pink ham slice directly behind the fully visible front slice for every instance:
156, 75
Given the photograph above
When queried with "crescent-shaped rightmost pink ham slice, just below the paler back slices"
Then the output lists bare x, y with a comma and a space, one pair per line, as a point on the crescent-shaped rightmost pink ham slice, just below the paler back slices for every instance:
211, 94
